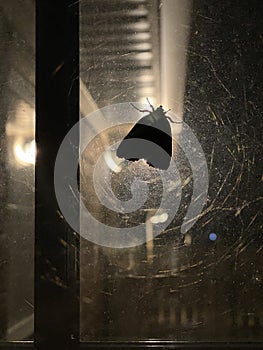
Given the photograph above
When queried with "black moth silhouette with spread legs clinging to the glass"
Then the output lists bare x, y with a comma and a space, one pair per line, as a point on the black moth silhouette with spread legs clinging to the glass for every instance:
150, 139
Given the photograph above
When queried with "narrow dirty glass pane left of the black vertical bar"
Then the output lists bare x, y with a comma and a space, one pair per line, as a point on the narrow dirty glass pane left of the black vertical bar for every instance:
17, 158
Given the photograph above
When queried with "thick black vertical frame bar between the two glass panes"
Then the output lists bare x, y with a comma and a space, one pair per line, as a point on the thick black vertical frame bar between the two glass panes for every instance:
57, 110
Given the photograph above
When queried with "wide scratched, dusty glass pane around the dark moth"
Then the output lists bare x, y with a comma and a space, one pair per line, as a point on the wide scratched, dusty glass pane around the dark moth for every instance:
200, 278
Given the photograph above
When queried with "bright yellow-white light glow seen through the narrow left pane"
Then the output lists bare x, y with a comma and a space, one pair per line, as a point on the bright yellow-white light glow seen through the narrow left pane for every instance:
25, 153
